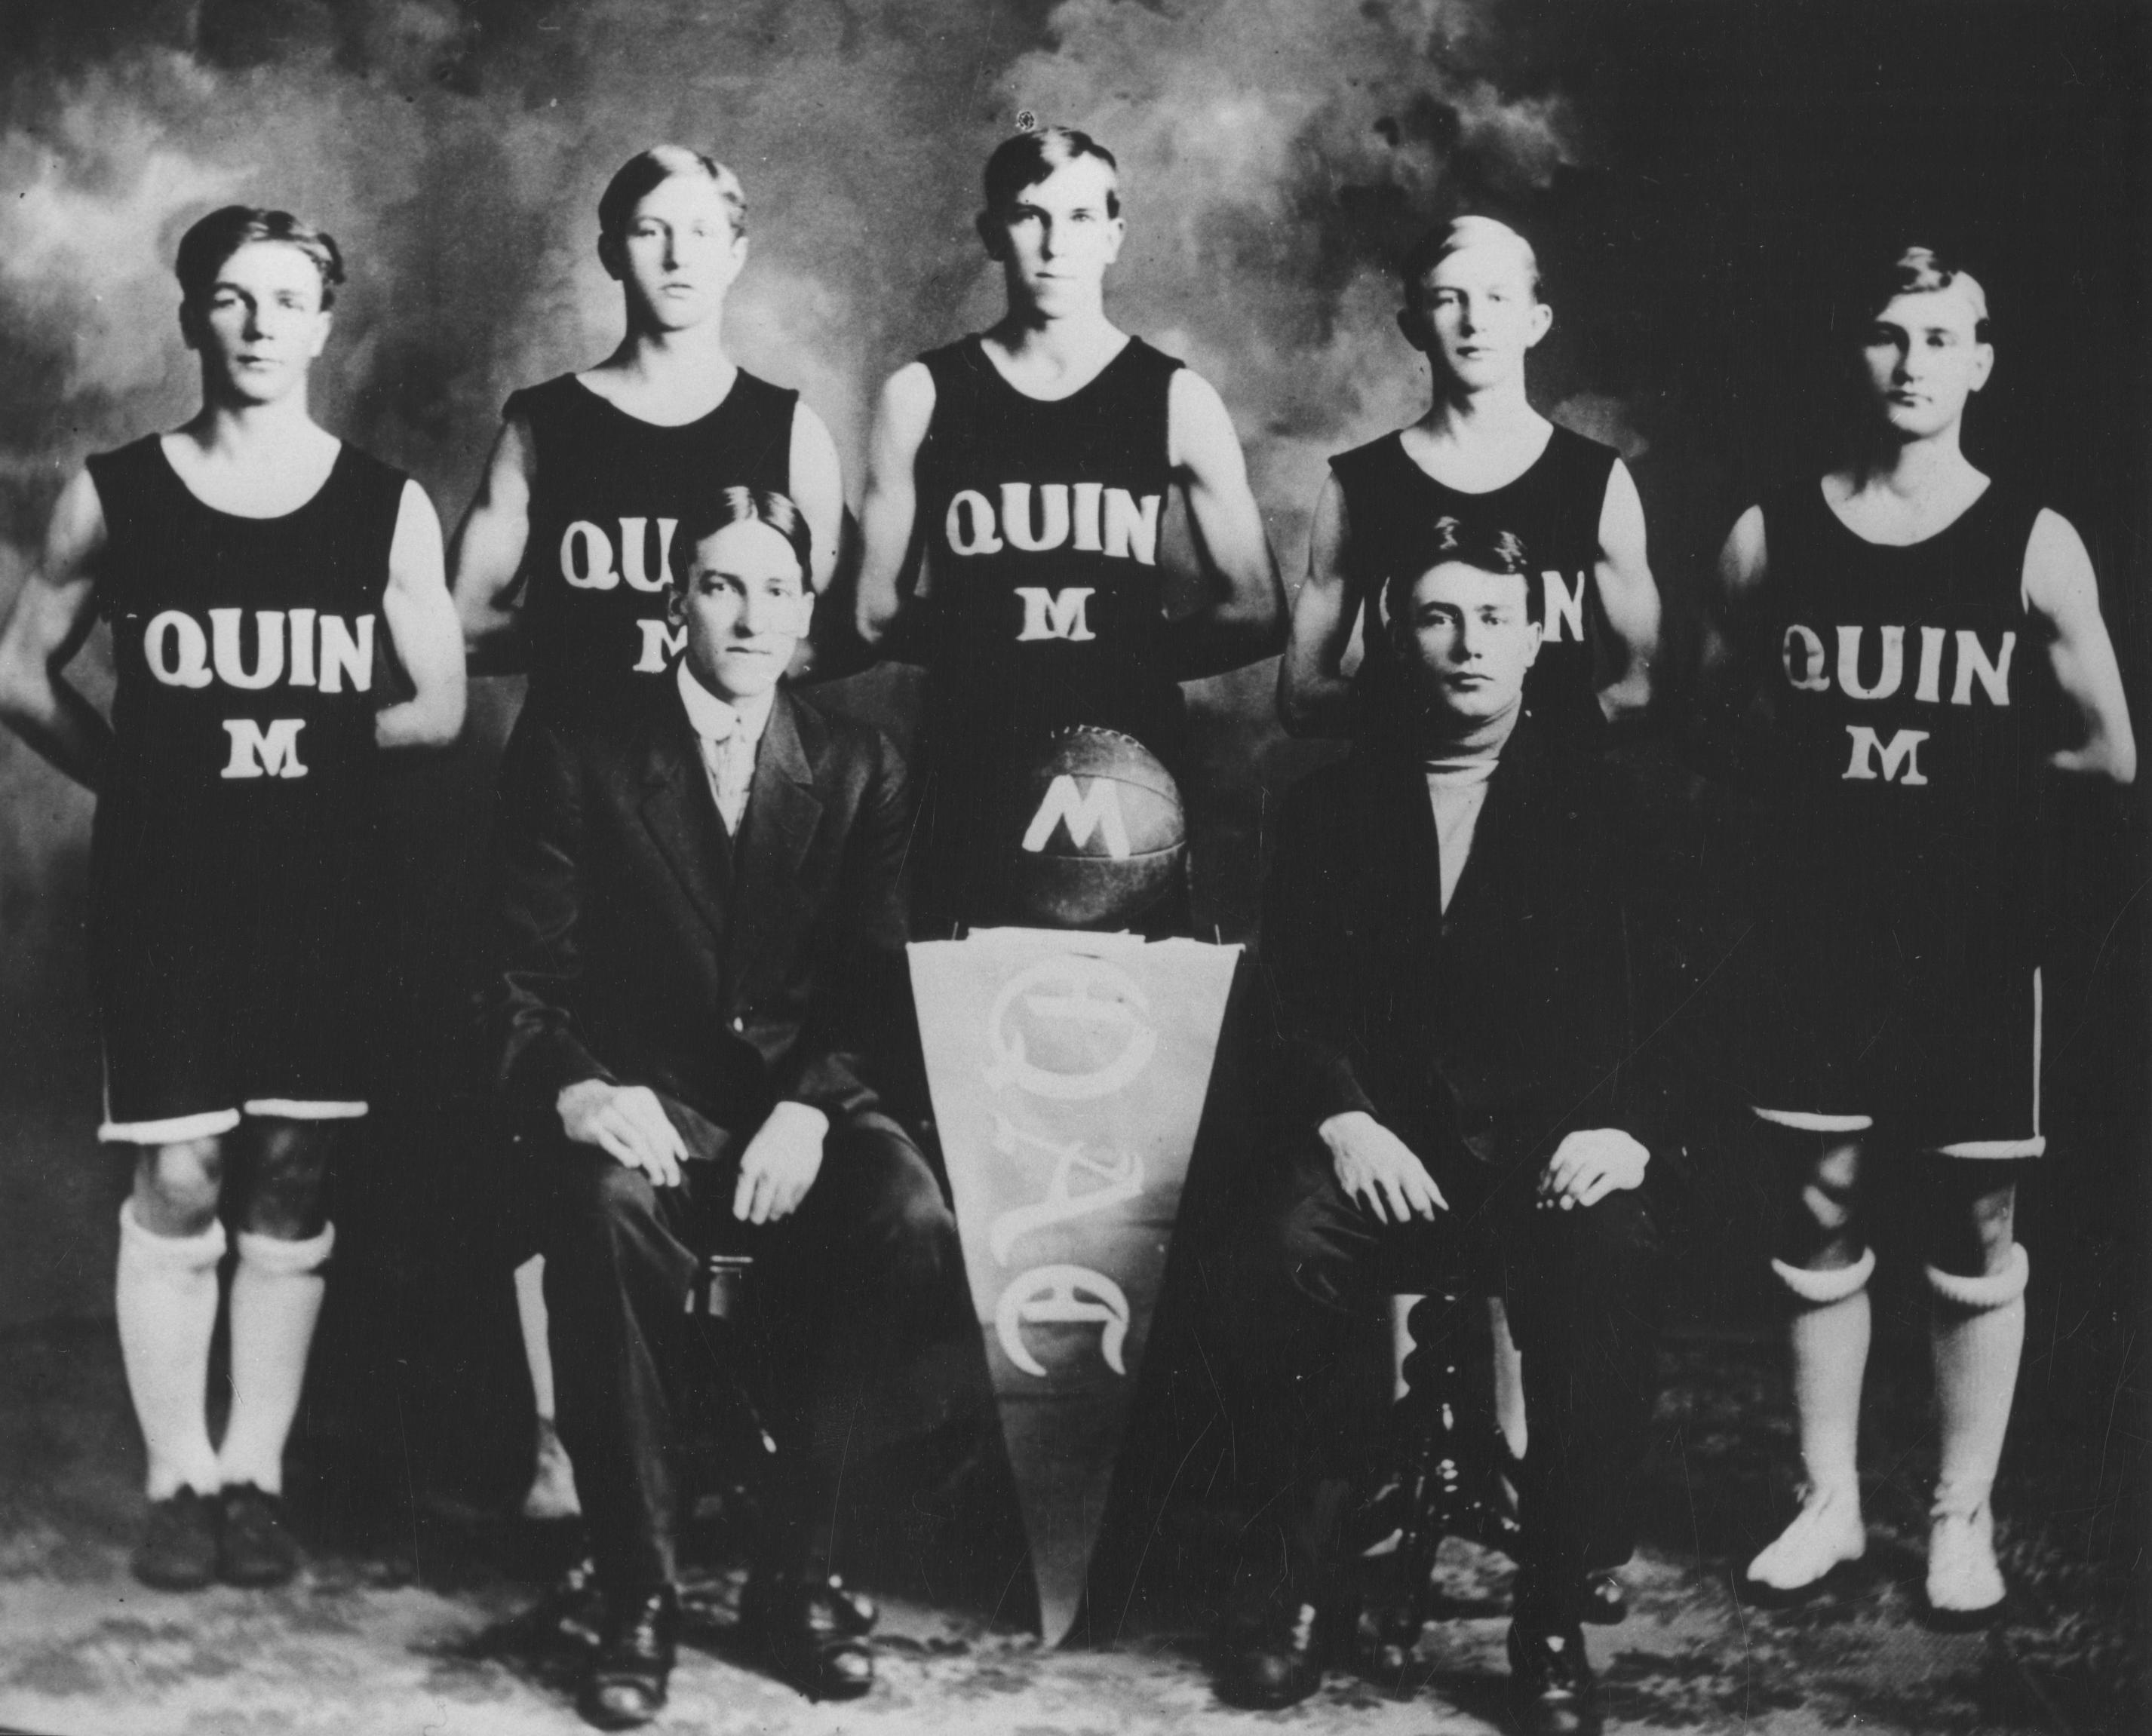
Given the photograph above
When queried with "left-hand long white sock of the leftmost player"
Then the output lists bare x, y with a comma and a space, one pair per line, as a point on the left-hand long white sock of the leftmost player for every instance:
167, 1305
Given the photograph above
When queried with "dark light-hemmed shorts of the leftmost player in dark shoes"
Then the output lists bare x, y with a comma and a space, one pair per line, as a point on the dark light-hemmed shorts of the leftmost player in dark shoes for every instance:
227, 995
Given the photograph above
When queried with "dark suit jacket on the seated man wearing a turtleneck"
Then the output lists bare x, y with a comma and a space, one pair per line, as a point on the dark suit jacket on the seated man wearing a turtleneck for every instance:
1544, 1001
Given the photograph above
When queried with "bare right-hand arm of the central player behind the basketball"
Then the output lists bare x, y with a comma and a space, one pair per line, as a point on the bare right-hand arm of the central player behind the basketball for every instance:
1245, 616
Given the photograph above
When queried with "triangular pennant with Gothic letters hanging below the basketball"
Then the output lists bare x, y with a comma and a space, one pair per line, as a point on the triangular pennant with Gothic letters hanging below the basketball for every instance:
1068, 1077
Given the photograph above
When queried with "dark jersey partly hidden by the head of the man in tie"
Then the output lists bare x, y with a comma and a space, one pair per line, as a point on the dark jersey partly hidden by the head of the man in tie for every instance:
606, 507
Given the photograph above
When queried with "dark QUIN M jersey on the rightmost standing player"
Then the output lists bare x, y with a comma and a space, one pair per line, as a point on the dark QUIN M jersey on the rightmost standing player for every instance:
1914, 709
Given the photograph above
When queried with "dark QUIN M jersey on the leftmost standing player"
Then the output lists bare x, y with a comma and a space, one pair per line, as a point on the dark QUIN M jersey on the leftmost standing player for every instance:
246, 657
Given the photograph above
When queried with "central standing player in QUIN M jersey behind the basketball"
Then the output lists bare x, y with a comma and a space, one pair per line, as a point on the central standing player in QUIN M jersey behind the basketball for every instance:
1028, 470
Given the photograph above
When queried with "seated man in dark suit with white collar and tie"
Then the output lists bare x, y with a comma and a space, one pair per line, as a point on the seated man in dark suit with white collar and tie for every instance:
700, 902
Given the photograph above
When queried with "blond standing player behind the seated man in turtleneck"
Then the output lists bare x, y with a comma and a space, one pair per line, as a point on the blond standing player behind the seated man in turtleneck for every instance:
1484, 457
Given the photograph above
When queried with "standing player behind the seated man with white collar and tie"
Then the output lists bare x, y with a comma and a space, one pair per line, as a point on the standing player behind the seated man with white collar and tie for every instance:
563, 567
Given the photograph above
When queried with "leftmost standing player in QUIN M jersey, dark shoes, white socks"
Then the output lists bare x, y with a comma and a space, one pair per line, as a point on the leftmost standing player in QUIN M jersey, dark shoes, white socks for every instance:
249, 565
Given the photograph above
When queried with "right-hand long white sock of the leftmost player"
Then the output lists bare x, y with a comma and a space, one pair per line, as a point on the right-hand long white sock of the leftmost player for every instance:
277, 1300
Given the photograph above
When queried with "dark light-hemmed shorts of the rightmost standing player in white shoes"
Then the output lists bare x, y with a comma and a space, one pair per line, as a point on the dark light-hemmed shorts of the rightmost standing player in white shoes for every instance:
1914, 1027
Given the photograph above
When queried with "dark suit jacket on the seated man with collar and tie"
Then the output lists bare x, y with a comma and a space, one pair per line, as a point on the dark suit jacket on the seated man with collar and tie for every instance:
647, 948
